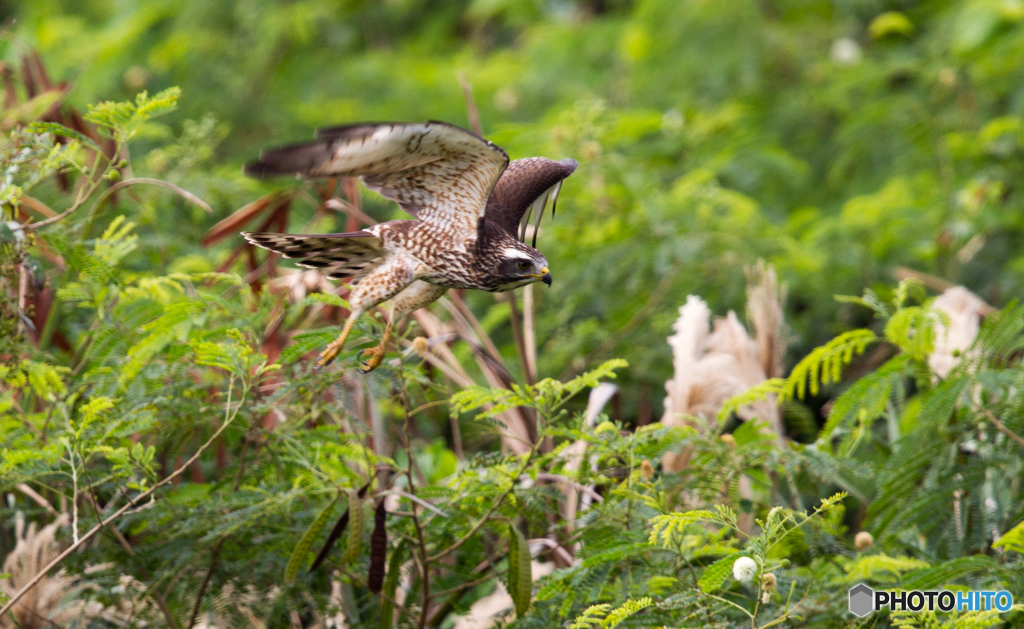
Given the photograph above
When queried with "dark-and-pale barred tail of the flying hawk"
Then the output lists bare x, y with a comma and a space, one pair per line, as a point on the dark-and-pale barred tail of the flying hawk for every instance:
344, 256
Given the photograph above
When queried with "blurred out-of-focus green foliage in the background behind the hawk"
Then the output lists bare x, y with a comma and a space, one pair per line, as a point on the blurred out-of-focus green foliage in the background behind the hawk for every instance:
838, 141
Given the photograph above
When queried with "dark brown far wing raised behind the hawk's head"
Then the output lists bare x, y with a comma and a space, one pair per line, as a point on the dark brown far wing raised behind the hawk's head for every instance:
524, 191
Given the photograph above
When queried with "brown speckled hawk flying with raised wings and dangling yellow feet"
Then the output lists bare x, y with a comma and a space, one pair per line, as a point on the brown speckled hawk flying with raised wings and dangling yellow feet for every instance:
471, 208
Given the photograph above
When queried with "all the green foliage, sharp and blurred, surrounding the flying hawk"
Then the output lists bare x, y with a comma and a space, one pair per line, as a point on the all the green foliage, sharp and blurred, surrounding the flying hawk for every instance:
837, 144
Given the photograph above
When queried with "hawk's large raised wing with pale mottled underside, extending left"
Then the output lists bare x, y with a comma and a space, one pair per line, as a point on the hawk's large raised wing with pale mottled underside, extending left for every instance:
438, 173
